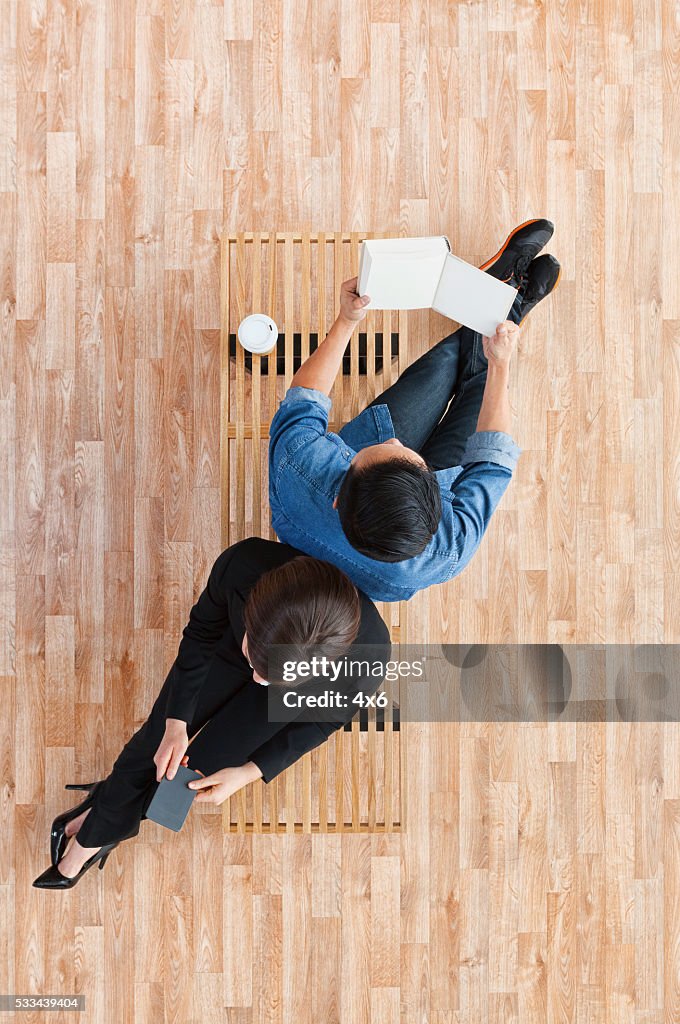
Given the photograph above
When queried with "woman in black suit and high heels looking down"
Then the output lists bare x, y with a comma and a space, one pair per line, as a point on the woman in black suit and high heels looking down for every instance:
260, 593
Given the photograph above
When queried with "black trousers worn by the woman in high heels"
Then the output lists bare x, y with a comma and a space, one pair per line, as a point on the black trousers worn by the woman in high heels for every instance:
234, 710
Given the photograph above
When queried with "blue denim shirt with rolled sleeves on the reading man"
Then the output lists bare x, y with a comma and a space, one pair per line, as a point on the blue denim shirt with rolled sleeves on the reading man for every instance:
307, 466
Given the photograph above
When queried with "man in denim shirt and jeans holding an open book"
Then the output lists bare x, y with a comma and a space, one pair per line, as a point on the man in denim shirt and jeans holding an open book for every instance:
402, 497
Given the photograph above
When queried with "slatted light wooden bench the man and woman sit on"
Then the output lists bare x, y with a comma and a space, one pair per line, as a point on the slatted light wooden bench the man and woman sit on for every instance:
354, 782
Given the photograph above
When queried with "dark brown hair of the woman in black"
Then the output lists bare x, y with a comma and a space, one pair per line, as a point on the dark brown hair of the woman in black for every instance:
305, 605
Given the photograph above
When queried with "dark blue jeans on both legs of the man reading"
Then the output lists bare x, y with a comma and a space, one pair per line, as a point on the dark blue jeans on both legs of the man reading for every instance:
436, 403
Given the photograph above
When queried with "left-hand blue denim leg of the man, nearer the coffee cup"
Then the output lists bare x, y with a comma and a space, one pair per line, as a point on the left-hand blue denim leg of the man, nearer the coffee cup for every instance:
420, 396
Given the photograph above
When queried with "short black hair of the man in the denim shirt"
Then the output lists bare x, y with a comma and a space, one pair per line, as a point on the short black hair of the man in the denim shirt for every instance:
390, 510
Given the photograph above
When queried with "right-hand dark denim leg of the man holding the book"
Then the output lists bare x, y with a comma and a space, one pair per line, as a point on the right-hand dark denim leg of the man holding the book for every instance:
445, 447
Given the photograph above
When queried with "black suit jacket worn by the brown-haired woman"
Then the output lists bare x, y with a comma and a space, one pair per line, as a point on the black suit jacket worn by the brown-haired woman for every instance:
217, 629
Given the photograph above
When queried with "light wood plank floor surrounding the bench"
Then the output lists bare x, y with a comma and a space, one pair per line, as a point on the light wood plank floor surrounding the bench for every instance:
539, 877
